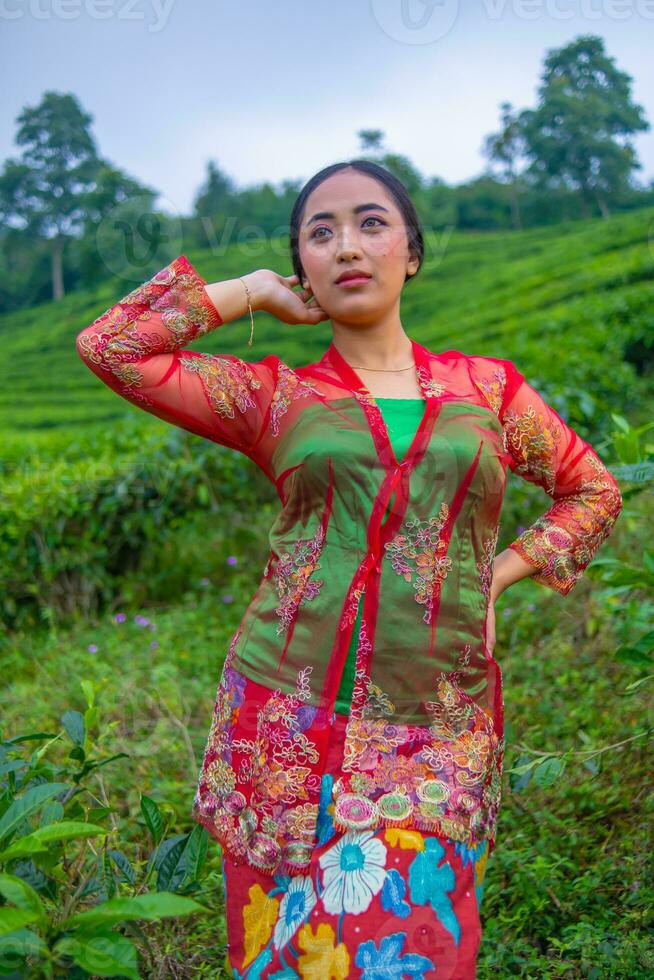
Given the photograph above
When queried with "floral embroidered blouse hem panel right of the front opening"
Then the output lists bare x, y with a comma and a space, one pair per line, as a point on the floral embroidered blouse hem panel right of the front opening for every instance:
449, 782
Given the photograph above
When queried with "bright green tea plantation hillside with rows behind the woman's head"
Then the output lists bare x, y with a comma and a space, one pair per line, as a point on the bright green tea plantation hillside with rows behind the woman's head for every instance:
570, 304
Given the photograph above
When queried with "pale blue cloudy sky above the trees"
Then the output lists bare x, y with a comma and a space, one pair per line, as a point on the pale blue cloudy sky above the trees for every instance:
275, 91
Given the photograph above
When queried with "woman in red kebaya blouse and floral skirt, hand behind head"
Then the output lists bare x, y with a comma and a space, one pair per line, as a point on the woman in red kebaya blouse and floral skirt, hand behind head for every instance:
352, 771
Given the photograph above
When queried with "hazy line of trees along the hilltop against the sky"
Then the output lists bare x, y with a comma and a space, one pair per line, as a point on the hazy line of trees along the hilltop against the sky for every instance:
70, 218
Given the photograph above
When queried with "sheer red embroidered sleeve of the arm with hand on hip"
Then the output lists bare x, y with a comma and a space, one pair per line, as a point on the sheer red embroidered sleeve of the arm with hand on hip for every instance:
543, 449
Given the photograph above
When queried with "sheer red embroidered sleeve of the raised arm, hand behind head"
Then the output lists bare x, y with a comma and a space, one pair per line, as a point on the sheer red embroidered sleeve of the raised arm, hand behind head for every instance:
135, 347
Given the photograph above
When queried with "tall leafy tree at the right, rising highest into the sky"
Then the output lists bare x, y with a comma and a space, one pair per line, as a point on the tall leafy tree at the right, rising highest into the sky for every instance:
585, 109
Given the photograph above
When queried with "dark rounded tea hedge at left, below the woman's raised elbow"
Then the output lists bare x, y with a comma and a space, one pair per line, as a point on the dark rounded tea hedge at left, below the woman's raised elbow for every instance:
73, 528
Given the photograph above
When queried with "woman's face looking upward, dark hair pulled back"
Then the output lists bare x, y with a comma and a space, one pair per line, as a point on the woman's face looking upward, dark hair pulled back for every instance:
351, 222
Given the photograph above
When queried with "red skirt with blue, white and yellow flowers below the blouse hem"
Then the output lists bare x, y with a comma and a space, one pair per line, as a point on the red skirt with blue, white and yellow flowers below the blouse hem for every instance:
376, 905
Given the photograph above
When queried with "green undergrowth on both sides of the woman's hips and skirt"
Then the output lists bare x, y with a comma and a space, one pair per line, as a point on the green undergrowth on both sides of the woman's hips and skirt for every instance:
568, 890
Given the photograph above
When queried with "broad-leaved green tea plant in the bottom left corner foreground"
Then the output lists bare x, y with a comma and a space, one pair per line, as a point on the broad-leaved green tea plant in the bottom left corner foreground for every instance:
73, 900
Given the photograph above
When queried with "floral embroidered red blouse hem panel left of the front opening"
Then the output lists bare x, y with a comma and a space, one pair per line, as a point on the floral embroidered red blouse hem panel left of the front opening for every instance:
275, 827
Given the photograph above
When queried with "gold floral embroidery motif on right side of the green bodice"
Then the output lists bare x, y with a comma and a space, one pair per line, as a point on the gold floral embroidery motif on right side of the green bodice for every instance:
420, 552
